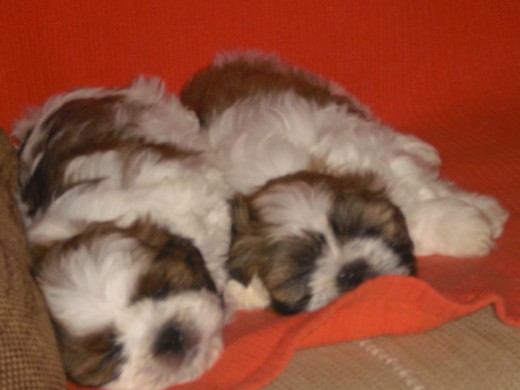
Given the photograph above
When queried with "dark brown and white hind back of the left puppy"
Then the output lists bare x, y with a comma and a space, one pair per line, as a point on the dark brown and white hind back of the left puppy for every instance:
90, 121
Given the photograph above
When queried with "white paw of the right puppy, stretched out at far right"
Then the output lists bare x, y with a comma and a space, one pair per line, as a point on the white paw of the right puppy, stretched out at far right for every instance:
450, 227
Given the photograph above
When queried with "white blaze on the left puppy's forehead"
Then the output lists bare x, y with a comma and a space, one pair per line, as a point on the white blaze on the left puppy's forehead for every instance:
88, 285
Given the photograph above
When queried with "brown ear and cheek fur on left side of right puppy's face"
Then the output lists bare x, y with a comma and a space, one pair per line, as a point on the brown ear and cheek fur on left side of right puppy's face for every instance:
284, 266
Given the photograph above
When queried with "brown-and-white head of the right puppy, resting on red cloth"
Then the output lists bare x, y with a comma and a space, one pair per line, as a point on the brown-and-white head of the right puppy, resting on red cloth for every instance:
310, 237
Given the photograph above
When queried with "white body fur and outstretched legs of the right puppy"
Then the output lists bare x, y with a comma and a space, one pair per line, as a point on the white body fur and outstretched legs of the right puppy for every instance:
285, 133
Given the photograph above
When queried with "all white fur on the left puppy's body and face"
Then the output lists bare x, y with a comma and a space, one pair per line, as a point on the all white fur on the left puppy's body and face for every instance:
91, 287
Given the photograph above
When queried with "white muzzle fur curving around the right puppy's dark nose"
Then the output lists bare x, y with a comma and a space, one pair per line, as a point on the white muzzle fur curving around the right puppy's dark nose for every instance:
378, 256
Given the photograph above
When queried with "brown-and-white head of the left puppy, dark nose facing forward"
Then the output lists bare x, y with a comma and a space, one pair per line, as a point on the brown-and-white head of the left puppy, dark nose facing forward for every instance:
133, 307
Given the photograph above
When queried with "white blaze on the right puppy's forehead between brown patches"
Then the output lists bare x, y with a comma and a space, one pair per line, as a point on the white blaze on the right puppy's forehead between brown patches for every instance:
295, 207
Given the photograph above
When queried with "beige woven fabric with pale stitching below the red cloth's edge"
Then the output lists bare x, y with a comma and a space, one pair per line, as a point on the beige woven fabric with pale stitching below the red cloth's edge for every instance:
475, 352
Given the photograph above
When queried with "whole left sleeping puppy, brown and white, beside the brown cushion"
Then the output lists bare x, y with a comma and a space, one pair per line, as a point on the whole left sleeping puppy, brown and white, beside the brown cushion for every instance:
128, 222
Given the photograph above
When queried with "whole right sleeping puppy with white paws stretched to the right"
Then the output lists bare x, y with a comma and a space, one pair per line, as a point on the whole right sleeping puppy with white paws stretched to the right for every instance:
327, 197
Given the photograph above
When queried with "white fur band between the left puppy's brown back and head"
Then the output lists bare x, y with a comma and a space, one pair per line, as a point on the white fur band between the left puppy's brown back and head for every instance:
191, 202
